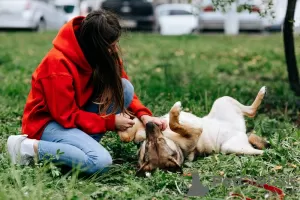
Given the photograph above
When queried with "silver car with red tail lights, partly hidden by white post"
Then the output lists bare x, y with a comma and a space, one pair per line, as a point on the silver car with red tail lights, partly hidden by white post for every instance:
213, 19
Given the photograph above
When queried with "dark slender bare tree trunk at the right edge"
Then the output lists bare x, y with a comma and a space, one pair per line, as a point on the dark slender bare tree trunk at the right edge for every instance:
289, 47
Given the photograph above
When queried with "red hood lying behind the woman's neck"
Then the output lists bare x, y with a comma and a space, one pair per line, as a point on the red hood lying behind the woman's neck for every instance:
66, 42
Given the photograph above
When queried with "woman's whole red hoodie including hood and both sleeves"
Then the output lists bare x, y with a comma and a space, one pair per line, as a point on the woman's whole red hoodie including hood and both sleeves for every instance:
61, 87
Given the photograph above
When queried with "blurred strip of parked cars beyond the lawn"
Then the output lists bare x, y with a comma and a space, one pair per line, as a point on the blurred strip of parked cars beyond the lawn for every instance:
166, 17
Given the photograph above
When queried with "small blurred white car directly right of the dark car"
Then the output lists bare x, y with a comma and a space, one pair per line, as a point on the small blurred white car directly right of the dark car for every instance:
176, 19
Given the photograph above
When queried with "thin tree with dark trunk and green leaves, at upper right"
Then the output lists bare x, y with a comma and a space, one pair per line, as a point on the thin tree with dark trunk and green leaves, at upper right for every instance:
288, 36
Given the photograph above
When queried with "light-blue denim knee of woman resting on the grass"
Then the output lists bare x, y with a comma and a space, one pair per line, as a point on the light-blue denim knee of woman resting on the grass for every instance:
99, 163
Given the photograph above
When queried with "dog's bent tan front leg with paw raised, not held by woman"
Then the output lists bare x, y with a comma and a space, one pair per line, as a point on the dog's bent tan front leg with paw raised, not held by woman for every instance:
184, 130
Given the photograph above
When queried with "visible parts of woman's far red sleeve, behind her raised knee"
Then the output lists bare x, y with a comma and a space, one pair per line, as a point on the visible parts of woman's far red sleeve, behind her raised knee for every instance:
136, 105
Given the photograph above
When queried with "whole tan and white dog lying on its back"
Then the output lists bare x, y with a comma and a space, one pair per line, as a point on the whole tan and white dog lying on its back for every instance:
223, 130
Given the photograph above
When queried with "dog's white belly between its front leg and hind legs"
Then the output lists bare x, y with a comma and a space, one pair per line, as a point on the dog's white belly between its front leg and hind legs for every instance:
215, 133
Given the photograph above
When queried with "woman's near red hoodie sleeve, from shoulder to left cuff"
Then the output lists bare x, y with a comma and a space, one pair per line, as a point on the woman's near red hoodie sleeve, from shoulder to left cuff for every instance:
60, 98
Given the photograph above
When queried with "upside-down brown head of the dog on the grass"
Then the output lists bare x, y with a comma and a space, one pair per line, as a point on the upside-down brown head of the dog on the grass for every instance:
158, 152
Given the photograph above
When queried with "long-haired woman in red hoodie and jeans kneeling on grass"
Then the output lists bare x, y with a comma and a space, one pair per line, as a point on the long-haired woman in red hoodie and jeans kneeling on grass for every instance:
78, 92
